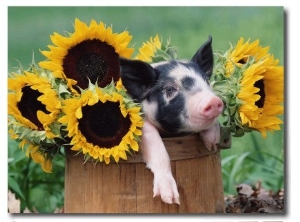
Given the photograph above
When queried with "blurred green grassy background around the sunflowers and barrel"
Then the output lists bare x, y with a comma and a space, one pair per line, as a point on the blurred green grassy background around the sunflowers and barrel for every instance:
250, 159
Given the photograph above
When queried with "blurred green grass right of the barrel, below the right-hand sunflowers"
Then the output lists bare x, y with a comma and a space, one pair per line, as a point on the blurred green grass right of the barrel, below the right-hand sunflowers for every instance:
252, 159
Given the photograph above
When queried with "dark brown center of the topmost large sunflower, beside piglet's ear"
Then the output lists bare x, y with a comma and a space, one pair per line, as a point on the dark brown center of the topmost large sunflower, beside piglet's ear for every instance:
94, 60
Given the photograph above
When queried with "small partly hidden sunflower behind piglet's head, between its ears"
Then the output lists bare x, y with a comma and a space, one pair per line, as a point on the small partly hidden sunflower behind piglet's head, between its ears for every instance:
155, 51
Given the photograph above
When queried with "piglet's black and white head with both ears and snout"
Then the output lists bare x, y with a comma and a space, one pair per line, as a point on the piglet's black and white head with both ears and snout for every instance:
175, 95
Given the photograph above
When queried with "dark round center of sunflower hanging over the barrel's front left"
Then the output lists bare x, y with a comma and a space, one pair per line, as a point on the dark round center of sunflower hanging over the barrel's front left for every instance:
103, 124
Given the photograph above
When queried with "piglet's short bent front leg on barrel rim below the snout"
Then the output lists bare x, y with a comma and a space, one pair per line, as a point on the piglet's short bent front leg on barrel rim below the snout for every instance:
211, 137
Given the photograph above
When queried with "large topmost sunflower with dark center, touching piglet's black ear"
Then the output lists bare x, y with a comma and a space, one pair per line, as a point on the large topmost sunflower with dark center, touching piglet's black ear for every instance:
91, 52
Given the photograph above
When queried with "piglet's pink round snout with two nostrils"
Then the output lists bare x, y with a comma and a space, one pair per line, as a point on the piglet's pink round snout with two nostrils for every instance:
213, 108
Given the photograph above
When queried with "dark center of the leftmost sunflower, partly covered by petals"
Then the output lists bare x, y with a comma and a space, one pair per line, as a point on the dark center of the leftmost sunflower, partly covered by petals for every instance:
29, 105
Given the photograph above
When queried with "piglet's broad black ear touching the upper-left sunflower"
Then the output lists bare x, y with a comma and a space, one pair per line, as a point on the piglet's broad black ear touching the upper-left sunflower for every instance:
137, 77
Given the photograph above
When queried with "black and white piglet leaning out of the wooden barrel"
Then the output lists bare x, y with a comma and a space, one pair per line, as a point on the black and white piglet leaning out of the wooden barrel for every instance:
176, 99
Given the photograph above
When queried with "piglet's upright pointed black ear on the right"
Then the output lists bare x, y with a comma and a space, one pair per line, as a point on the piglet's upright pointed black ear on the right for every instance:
204, 57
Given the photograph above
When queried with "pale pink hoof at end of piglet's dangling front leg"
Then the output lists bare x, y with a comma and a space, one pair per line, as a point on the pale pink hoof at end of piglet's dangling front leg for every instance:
166, 187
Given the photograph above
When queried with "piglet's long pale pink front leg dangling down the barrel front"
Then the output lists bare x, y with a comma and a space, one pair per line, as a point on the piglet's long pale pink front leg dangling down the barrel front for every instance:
157, 160
